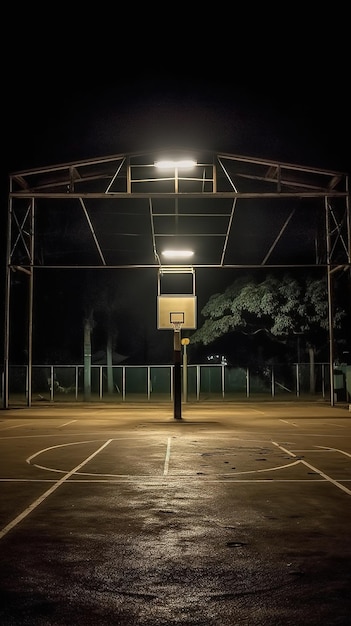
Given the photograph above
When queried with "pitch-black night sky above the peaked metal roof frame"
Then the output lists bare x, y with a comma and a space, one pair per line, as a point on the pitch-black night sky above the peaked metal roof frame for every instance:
266, 82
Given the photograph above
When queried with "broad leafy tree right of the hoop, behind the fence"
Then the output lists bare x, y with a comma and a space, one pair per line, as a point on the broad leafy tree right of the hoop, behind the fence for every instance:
279, 307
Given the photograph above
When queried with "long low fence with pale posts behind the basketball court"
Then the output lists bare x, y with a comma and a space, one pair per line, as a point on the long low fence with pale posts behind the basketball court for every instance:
62, 383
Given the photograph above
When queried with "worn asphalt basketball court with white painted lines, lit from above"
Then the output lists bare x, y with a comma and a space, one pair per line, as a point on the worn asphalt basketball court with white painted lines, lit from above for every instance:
254, 497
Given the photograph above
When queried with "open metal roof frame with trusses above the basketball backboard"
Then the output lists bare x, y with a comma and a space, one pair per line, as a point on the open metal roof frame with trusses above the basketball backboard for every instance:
144, 209
